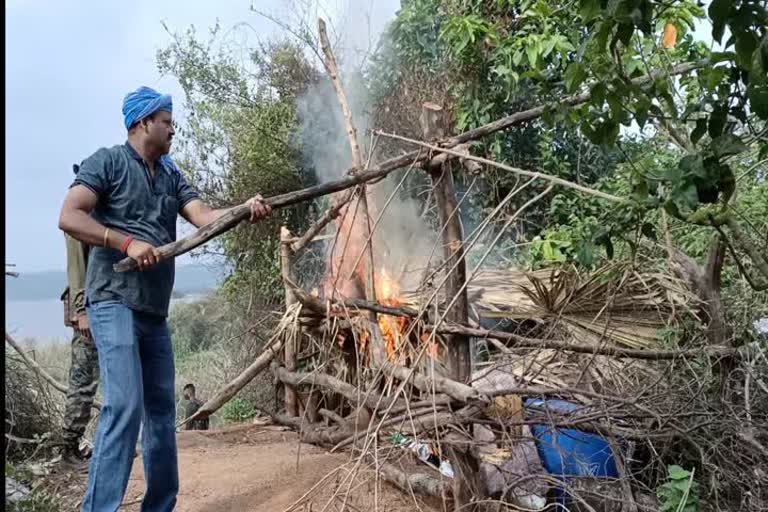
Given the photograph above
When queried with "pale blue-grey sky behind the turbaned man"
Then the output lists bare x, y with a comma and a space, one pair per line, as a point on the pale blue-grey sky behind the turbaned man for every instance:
68, 66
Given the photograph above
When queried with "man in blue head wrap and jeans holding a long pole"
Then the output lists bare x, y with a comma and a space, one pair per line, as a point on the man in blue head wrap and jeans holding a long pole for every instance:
125, 201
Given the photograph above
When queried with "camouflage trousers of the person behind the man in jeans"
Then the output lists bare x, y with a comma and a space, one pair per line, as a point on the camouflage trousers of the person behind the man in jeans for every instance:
83, 381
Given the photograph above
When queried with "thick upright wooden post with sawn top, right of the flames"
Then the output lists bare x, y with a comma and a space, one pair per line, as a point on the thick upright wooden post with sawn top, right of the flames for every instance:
433, 125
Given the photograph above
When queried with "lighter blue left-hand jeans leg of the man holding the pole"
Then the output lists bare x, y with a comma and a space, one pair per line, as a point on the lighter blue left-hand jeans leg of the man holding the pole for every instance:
113, 327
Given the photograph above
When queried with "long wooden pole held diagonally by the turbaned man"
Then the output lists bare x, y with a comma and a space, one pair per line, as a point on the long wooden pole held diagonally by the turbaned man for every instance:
242, 212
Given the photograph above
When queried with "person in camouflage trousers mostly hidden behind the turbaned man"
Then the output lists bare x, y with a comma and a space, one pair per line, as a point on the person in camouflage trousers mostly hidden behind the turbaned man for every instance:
84, 364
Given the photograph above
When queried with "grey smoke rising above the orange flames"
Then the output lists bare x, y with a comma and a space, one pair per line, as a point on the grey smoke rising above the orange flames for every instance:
402, 241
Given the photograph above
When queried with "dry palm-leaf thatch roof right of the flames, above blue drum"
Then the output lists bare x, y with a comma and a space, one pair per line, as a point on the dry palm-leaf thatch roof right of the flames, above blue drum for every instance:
616, 304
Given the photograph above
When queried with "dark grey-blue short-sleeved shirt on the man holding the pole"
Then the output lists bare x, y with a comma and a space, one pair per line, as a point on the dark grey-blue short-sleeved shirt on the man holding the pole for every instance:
132, 202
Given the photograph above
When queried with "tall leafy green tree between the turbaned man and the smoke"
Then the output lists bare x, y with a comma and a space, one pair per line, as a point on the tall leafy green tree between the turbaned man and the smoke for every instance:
237, 141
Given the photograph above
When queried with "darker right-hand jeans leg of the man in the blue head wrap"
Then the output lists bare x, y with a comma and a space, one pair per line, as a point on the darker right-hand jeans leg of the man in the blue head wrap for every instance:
159, 428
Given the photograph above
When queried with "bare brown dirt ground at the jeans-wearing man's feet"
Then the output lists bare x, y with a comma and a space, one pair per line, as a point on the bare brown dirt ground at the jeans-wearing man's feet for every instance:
252, 468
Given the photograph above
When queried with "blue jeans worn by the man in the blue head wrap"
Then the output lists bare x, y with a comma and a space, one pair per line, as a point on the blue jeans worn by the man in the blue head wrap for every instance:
137, 378
